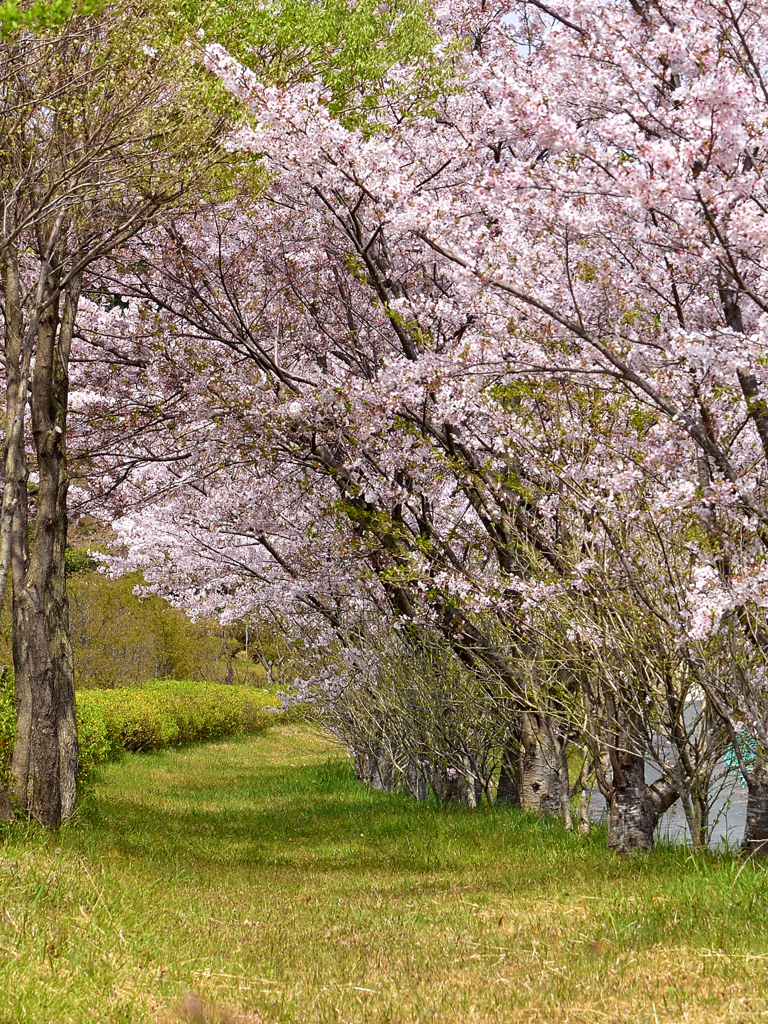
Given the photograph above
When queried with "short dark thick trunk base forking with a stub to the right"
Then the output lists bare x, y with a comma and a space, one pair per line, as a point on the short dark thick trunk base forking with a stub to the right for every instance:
634, 807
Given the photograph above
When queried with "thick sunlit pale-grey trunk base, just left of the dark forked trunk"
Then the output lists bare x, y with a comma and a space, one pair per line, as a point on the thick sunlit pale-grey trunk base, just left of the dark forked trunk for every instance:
544, 786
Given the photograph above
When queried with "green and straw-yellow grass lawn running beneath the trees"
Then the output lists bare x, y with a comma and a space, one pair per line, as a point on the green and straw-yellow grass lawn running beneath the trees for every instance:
260, 876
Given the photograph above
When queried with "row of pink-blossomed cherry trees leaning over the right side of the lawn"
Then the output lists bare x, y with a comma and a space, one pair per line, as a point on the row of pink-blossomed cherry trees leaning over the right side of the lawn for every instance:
459, 376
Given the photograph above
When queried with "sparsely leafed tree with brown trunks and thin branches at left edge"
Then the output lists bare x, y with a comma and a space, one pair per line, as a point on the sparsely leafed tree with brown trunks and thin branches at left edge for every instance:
89, 160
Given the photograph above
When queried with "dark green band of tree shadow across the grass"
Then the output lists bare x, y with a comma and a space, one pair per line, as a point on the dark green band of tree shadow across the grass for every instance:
293, 820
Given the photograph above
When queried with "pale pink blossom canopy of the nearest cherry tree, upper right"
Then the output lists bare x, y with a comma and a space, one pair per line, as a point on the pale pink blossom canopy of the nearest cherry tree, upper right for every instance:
611, 224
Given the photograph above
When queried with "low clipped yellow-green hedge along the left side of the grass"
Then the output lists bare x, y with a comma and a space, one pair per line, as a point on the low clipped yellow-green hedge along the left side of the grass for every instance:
164, 713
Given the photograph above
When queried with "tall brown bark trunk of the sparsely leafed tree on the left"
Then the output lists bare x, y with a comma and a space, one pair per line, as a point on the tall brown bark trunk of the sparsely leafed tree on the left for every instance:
46, 757
